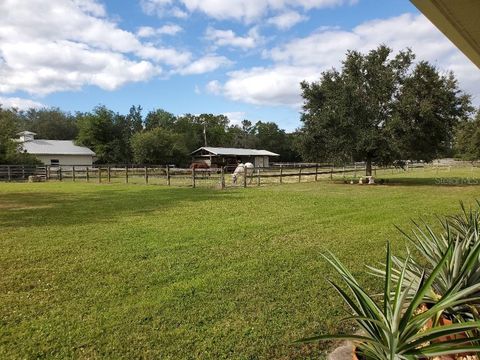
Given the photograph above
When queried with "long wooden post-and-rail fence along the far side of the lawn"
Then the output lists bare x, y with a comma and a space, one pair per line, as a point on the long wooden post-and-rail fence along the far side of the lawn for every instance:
172, 176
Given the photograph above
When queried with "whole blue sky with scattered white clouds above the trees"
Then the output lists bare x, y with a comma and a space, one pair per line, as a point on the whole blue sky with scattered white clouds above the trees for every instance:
242, 58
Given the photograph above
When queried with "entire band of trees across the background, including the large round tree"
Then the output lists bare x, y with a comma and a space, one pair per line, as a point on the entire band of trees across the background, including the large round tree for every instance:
379, 107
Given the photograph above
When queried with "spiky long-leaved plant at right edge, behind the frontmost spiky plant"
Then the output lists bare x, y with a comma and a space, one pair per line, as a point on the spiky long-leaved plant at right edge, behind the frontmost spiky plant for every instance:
461, 270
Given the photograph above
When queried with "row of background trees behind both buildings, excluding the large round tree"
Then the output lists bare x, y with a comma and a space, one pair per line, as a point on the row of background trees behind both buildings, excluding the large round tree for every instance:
159, 137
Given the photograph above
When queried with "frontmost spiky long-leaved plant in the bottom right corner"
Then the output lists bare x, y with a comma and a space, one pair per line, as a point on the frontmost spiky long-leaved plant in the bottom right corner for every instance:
395, 329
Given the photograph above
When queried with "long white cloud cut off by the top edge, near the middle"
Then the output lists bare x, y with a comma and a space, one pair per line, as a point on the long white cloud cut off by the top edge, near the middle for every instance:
242, 10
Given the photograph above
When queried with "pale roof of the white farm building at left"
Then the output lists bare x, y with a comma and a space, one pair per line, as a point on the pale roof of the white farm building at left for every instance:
55, 147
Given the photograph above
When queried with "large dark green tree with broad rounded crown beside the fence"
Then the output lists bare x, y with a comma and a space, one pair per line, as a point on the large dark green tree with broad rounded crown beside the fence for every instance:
376, 109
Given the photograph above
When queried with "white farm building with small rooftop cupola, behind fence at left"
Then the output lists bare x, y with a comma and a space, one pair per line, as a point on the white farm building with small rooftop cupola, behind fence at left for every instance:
55, 152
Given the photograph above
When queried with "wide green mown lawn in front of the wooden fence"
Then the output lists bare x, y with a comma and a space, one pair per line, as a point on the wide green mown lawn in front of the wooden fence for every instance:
133, 271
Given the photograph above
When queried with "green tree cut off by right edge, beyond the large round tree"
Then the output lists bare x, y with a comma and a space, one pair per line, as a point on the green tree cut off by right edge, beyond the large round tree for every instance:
467, 139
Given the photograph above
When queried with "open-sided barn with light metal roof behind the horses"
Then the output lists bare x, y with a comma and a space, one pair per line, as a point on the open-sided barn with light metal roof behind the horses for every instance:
219, 156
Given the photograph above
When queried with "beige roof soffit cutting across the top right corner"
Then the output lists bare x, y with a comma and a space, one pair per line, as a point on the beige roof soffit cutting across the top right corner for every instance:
459, 20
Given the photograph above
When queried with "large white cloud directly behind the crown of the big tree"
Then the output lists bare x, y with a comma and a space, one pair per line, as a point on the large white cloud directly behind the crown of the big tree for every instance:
305, 59
